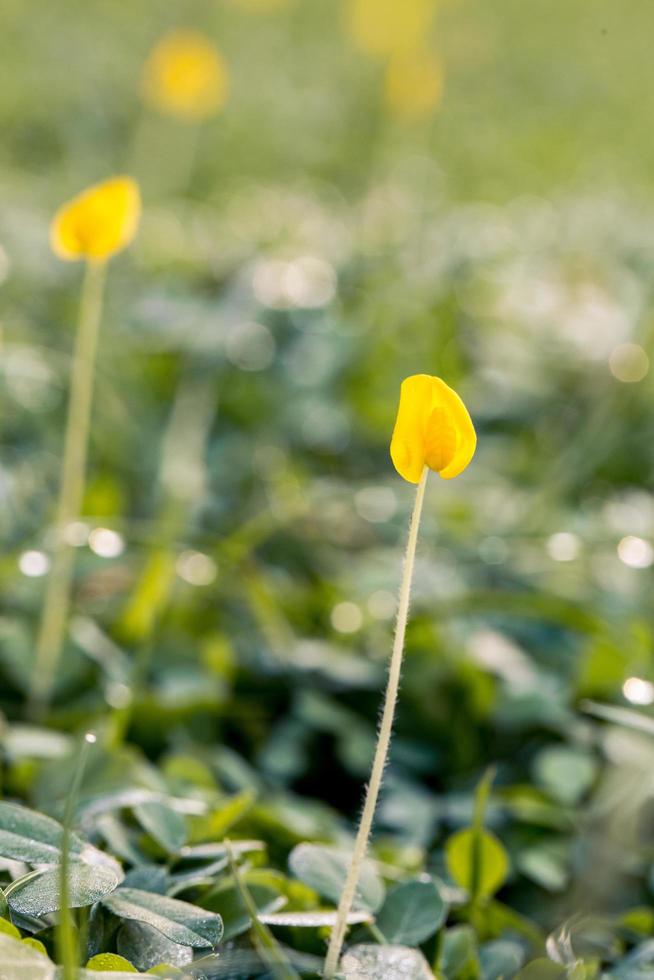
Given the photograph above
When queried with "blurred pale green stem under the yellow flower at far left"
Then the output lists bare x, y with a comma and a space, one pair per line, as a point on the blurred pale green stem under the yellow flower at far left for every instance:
56, 602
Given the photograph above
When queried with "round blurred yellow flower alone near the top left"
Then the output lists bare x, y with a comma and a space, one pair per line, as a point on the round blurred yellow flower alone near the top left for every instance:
186, 76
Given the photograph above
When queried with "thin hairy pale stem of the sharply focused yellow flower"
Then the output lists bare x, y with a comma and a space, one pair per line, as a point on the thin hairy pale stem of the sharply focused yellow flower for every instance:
383, 741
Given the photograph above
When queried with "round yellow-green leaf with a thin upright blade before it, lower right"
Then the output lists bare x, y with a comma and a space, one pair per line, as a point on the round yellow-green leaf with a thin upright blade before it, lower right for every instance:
493, 861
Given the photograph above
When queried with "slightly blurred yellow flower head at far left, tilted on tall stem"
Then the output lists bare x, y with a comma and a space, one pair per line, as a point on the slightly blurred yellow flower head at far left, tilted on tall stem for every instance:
99, 222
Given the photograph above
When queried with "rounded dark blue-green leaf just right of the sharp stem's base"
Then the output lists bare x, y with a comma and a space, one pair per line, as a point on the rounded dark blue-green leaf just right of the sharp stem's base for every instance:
411, 913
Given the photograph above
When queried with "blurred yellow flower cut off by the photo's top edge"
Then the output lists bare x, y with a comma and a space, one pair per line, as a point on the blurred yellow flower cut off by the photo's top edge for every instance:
380, 27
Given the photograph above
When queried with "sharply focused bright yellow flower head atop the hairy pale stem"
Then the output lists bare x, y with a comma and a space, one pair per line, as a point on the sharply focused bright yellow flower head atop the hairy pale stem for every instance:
433, 428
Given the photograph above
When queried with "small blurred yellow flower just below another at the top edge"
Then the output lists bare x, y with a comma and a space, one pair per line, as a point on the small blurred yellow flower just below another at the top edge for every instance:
414, 83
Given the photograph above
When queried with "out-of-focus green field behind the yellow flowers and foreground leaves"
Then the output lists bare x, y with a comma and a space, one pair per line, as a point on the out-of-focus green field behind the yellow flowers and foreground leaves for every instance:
300, 254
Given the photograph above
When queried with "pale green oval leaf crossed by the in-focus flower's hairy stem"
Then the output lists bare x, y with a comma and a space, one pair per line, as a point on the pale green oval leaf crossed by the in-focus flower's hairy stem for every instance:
325, 870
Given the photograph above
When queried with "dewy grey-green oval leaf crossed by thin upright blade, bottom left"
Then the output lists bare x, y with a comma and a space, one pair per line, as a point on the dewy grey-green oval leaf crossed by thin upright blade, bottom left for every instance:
39, 894
